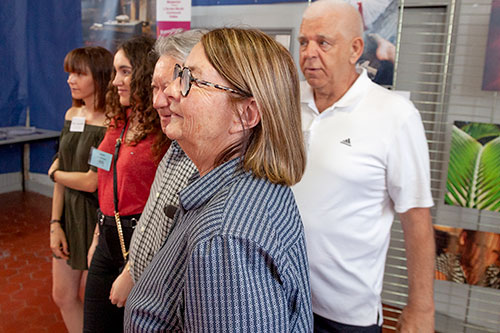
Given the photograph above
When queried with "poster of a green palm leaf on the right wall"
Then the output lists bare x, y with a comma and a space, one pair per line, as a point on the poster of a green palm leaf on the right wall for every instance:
474, 166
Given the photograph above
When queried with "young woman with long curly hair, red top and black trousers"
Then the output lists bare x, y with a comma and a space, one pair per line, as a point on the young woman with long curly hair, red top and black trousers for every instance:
130, 152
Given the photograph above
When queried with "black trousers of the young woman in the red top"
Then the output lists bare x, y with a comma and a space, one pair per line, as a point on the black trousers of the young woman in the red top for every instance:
100, 315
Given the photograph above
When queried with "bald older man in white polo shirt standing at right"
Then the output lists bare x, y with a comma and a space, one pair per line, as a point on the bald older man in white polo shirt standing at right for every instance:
367, 160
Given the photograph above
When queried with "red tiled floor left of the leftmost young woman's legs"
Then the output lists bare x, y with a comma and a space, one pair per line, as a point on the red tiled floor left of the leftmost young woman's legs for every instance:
25, 265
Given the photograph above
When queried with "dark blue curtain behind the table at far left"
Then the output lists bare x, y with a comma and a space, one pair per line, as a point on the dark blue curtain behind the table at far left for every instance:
35, 36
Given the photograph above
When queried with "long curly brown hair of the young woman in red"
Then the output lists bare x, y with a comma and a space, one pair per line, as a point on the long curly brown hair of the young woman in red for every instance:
139, 51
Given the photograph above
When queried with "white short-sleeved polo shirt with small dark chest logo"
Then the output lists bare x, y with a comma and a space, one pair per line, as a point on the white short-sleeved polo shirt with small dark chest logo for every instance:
367, 157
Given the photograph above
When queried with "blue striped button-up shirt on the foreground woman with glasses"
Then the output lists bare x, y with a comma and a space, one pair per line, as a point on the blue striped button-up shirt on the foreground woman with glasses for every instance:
235, 261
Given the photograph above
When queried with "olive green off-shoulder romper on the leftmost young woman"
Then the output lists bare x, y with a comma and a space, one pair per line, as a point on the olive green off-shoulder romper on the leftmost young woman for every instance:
79, 211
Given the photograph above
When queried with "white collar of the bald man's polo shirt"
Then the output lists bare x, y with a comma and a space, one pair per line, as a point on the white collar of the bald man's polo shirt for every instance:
350, 98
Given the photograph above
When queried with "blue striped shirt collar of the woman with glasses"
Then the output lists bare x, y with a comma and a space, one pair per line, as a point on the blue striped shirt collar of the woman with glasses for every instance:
202, 189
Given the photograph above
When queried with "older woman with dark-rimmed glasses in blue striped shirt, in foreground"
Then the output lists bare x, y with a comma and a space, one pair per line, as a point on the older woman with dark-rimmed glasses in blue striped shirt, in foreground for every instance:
235, 260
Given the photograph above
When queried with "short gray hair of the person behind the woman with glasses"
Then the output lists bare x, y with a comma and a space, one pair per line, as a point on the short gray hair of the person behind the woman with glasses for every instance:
178, 45
